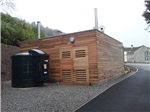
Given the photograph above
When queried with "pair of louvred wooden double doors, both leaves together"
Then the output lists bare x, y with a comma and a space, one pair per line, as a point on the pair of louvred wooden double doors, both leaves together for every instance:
74, 65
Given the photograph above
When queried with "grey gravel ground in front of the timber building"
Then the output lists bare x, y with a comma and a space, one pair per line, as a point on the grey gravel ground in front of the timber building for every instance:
50, 97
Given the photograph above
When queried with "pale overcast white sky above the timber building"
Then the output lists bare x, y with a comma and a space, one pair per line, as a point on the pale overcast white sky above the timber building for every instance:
122, 19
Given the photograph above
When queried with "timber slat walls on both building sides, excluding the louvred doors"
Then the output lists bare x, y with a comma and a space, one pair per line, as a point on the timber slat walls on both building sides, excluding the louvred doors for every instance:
105, 54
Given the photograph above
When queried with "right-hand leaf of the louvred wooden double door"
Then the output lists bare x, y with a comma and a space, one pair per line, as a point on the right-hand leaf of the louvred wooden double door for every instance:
80, 66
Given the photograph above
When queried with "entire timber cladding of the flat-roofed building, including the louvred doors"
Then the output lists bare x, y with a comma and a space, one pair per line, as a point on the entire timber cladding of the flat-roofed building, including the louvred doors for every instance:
92, 57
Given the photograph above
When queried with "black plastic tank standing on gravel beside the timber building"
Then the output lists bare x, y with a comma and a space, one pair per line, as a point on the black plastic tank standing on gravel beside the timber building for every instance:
30, 69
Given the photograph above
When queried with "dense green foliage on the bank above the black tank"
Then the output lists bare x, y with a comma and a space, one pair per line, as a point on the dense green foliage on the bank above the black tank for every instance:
14, 30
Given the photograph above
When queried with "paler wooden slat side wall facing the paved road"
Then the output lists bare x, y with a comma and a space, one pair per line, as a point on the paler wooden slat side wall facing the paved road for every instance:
110, 57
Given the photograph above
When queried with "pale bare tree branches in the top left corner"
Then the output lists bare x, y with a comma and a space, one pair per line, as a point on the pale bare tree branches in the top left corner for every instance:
7, 5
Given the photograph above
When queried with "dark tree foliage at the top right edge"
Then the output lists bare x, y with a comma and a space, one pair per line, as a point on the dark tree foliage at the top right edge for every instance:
146, 13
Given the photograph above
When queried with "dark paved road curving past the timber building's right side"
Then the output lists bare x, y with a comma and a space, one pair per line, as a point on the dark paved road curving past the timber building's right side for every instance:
130, 95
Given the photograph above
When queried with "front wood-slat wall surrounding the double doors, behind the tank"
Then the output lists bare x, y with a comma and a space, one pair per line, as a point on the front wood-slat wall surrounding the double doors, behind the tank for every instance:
52, 47
